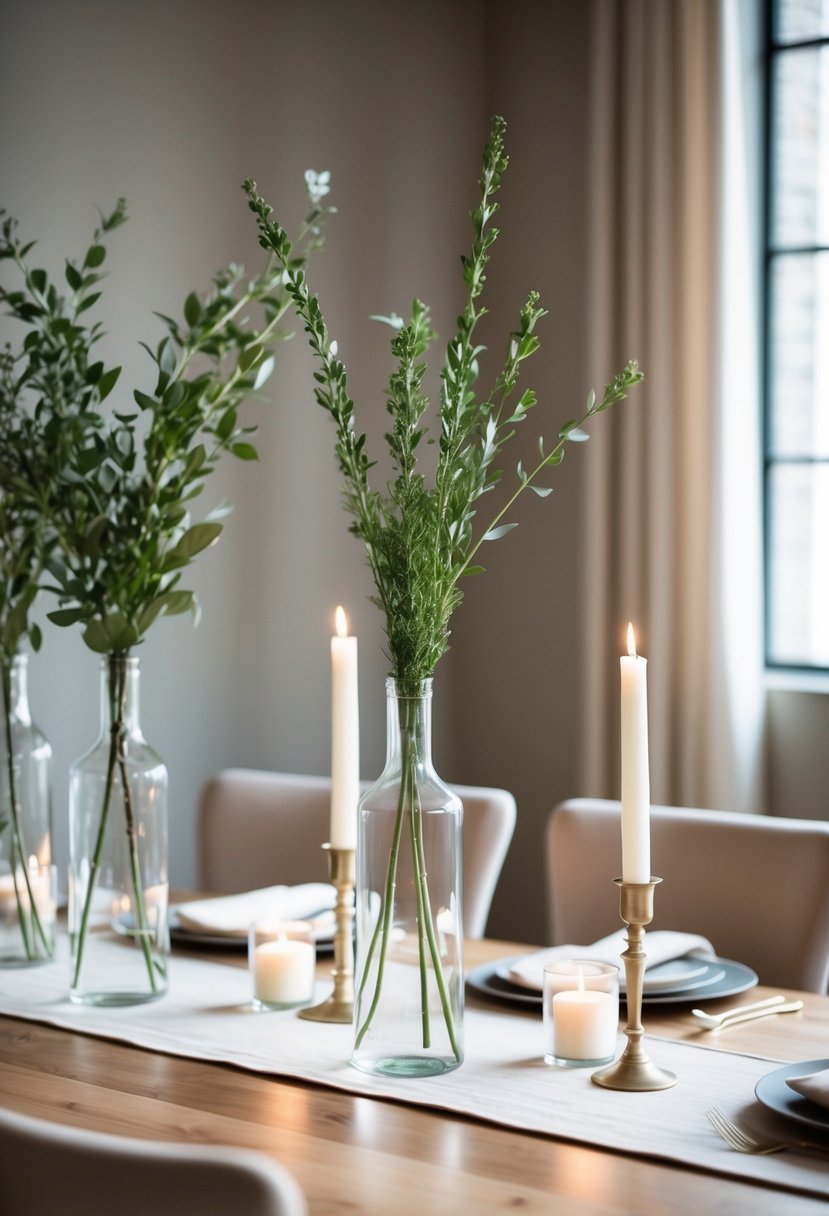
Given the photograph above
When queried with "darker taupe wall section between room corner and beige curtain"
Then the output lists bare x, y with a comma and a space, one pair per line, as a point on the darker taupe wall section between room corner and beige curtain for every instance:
516, 665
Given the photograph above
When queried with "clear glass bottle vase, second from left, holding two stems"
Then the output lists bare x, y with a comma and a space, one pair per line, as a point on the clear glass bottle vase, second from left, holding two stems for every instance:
119, 855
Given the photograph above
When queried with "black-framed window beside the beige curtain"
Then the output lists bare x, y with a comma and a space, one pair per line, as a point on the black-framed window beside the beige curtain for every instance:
797, 448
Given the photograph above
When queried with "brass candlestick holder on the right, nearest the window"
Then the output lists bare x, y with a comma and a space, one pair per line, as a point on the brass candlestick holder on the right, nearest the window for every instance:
634, 1069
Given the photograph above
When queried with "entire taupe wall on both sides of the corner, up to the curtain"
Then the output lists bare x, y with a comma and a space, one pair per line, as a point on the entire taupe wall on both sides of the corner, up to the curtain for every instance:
173, 106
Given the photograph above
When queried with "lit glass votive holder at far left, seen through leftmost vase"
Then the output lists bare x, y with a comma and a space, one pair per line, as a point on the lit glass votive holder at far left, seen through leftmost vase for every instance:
27, 938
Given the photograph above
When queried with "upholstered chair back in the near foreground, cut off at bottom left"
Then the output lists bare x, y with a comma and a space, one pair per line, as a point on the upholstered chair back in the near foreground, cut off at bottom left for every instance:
48, 1168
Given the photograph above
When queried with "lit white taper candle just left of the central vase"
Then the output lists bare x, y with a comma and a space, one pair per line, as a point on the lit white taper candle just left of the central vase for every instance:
345, 738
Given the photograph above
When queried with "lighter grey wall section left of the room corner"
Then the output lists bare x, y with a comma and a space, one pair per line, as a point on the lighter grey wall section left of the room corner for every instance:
173, 106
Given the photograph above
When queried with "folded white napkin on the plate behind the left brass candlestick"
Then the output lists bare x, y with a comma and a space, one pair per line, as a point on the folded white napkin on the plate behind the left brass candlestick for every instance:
233, 915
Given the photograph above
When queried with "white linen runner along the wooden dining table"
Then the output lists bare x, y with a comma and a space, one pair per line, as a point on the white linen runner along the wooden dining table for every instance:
207, 1015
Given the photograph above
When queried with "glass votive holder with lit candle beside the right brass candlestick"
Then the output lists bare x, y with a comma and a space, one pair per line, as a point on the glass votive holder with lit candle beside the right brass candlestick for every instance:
580, 1014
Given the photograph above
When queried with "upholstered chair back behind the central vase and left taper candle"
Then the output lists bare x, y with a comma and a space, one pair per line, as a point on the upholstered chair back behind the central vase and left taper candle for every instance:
258, 829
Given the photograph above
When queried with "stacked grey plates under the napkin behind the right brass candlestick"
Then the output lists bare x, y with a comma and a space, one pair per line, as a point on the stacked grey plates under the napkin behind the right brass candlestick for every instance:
670, 983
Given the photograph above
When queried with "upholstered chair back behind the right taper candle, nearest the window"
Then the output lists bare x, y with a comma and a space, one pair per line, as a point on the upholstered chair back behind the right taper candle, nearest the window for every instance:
757, 887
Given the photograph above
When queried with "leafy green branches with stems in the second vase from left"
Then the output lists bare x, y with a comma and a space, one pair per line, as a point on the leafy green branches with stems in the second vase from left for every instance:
114, 489
